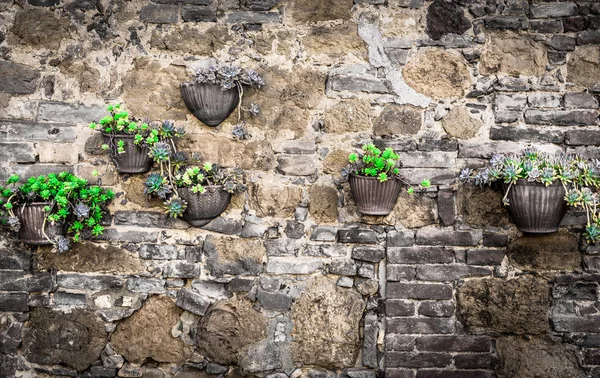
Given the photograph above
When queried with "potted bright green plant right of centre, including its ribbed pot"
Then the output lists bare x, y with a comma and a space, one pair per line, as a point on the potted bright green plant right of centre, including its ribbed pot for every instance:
375, 180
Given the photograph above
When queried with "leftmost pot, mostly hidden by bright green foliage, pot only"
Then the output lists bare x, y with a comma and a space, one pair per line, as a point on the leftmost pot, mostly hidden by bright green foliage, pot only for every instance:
32, 217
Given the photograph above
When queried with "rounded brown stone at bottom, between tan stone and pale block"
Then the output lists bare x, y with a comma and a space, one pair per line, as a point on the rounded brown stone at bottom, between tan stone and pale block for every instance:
229, 326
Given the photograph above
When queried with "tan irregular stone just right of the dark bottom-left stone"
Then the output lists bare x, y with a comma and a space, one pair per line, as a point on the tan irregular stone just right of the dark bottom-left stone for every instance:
147, 333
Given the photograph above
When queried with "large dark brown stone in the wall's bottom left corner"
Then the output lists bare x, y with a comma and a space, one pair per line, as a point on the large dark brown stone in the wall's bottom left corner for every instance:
53, 337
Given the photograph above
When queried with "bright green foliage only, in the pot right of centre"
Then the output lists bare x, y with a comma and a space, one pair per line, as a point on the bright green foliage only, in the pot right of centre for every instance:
373, 162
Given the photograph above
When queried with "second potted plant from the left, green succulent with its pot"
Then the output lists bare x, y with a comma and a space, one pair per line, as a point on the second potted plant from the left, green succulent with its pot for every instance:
130, 141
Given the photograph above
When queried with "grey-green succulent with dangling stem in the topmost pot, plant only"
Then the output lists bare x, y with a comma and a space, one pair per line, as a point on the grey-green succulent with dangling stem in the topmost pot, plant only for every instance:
229, 77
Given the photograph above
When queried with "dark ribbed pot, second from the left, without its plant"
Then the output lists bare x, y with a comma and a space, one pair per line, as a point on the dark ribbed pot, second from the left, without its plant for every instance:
135, 159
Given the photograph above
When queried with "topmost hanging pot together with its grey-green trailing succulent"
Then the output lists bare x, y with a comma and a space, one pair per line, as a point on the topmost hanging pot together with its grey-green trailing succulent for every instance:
216, 92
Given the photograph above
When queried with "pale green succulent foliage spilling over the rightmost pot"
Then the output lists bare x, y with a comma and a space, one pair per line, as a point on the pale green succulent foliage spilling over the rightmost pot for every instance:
578, 176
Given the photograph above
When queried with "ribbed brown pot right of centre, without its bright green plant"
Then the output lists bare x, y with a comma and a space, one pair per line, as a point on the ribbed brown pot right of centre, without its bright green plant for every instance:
373, 197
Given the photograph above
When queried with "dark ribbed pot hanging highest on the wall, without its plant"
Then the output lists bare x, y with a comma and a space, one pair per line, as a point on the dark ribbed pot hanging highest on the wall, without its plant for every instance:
208, 102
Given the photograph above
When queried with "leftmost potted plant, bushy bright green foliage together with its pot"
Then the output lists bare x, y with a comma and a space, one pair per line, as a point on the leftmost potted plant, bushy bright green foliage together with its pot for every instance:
65, 202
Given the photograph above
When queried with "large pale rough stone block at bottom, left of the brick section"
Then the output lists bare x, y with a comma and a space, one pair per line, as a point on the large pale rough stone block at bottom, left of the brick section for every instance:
326, 321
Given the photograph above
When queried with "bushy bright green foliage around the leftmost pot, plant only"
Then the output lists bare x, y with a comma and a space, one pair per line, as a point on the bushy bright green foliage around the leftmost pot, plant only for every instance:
71, 199
